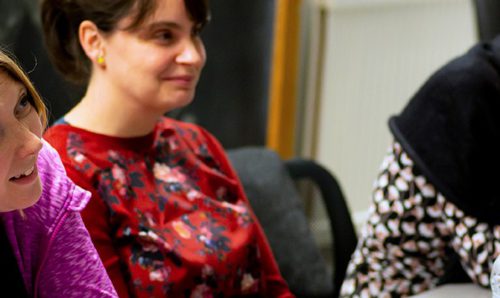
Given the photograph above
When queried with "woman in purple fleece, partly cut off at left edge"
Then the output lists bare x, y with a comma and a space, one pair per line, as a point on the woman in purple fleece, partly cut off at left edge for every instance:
39, 205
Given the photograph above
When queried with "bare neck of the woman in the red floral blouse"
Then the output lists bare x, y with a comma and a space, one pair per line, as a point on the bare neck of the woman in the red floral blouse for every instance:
106, 112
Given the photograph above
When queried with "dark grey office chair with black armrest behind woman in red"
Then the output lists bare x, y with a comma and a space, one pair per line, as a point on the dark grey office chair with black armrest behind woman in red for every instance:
269, 184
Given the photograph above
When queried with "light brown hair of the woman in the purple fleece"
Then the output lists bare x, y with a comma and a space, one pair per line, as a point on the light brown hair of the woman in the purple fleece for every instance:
13, 70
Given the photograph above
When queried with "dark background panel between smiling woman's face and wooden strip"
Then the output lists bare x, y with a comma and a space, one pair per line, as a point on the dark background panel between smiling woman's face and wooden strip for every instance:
232, 96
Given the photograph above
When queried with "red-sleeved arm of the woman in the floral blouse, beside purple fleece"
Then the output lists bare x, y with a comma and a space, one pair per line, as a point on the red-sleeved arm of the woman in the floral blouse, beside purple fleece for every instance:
95, 216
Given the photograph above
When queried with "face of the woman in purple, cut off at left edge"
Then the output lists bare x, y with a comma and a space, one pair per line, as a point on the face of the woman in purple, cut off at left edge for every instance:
20, 133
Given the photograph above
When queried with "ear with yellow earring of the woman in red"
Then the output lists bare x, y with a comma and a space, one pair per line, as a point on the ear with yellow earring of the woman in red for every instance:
91, 41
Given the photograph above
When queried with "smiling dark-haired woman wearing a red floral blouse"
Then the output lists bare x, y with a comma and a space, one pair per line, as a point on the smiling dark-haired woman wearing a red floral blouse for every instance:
168, 214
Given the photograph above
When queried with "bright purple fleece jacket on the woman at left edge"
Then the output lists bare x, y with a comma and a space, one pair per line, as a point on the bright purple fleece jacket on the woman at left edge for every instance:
51, 244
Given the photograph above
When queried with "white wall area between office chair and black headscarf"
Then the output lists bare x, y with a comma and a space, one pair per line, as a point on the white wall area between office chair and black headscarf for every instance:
378, 52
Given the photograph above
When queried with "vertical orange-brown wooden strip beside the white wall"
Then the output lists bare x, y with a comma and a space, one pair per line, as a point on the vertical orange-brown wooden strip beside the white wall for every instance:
283, 89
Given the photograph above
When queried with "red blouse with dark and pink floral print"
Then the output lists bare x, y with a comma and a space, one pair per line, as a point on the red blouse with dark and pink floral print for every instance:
168, 214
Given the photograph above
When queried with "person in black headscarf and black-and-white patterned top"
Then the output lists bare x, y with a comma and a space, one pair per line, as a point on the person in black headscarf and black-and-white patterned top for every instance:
436, 209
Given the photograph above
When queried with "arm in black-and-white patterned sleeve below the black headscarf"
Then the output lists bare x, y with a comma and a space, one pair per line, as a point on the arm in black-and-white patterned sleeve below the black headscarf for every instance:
402, 248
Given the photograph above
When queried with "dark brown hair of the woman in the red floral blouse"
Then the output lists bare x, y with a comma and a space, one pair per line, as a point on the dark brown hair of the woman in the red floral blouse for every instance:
62, 18
